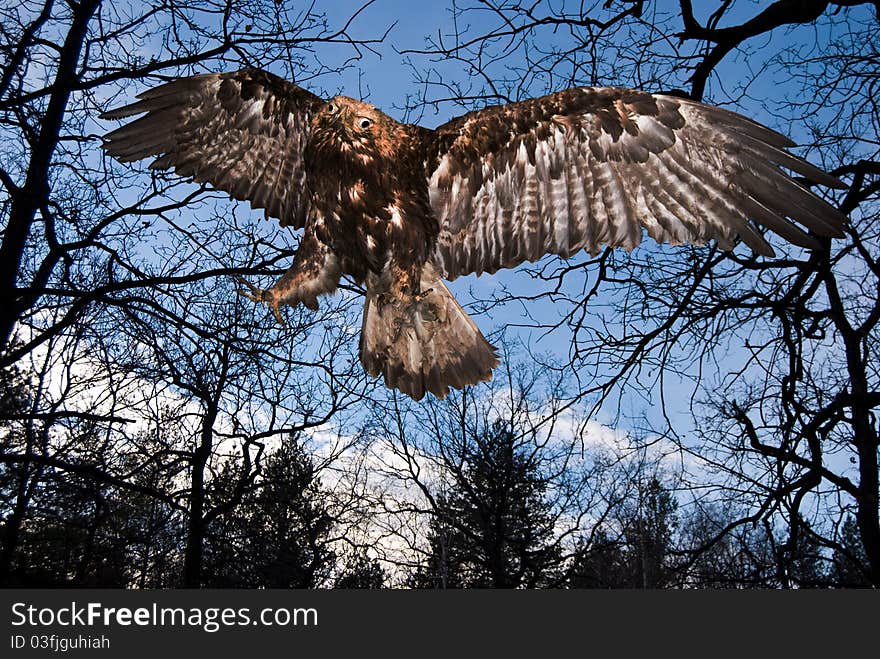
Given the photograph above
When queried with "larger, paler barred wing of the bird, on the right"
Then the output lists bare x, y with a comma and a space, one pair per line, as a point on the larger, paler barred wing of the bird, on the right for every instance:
588, 167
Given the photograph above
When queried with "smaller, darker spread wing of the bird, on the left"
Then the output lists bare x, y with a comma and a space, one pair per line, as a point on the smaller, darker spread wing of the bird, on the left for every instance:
243, 132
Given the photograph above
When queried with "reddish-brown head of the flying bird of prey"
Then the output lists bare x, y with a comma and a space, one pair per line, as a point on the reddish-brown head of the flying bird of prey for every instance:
353, 127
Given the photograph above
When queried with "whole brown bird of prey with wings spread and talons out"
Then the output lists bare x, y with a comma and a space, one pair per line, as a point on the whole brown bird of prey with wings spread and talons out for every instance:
399, 207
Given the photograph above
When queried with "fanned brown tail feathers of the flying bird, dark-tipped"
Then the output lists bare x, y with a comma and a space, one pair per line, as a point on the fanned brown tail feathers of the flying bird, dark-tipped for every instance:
426, 345
